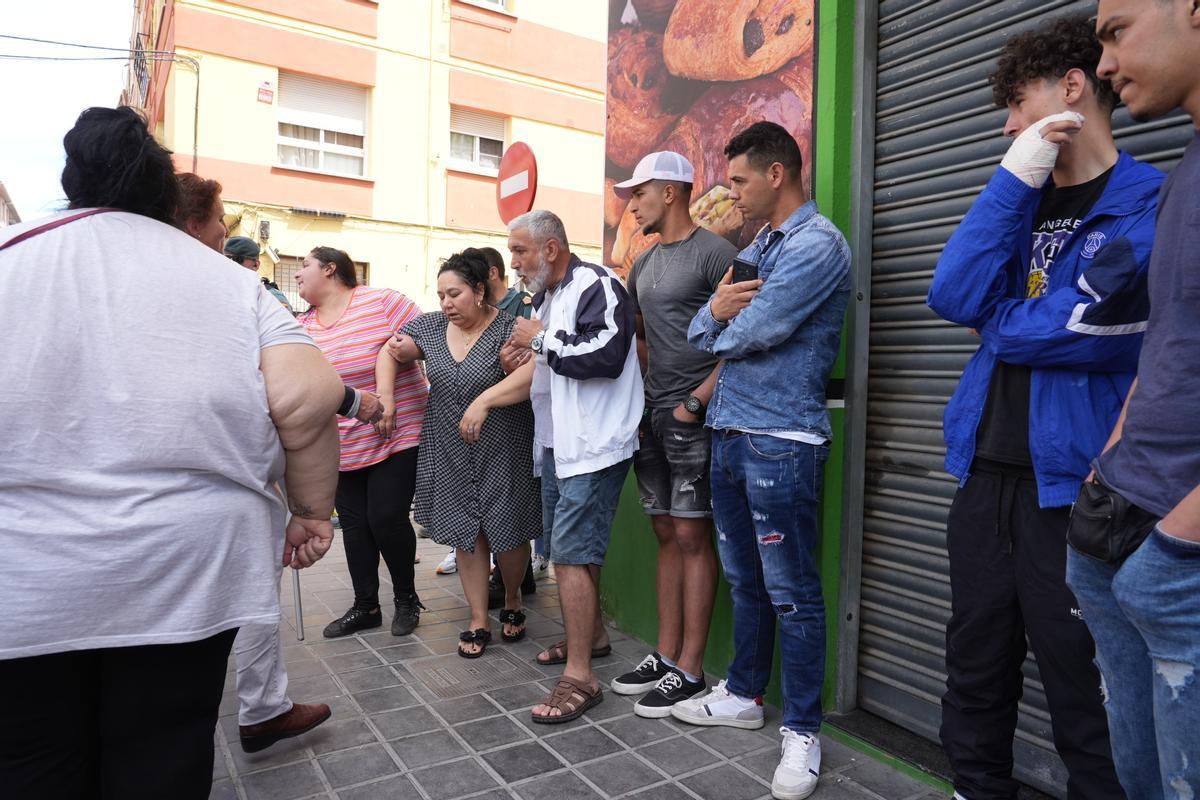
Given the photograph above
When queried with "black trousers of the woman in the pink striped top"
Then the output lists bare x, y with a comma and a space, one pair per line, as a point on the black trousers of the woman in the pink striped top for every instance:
373, 506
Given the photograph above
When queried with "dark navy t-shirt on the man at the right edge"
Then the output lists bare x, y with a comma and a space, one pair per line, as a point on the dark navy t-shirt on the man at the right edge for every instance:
1157, 461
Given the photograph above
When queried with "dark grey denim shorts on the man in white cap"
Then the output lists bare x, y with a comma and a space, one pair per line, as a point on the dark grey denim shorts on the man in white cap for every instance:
673, 466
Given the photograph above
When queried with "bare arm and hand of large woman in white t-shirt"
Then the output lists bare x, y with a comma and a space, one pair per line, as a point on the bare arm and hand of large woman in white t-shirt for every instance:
303, 395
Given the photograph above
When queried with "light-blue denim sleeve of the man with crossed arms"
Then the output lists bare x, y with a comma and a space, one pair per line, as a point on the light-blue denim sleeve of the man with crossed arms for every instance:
811, 268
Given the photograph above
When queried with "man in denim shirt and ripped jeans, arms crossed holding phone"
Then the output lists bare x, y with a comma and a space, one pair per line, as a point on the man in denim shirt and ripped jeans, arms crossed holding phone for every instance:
778, 338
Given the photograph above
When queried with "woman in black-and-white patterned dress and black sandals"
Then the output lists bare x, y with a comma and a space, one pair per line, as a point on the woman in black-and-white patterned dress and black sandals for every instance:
476, 489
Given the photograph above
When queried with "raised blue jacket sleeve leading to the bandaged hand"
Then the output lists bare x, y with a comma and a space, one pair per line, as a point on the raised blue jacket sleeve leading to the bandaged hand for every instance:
971, 275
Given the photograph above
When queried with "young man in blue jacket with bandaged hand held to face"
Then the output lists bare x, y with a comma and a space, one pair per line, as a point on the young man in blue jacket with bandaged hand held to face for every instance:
1049, 268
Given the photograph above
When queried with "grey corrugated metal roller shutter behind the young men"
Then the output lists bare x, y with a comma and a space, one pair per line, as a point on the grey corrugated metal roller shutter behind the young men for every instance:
938, 140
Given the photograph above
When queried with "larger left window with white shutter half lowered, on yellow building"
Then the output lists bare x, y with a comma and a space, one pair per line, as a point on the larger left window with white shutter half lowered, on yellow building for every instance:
322, 125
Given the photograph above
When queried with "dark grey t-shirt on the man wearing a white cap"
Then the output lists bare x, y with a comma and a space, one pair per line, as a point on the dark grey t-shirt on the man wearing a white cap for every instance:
669, 285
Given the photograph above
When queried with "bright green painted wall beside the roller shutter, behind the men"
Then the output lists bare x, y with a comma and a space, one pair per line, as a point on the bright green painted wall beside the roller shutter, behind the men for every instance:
628, 580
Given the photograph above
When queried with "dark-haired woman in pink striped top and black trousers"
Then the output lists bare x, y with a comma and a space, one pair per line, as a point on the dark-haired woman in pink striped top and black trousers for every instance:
352, 323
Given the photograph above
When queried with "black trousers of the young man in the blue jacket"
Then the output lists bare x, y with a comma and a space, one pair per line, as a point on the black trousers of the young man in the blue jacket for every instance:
1009, 568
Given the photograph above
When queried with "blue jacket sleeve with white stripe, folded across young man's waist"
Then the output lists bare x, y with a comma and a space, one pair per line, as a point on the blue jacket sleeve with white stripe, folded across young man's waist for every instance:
1095, 324
